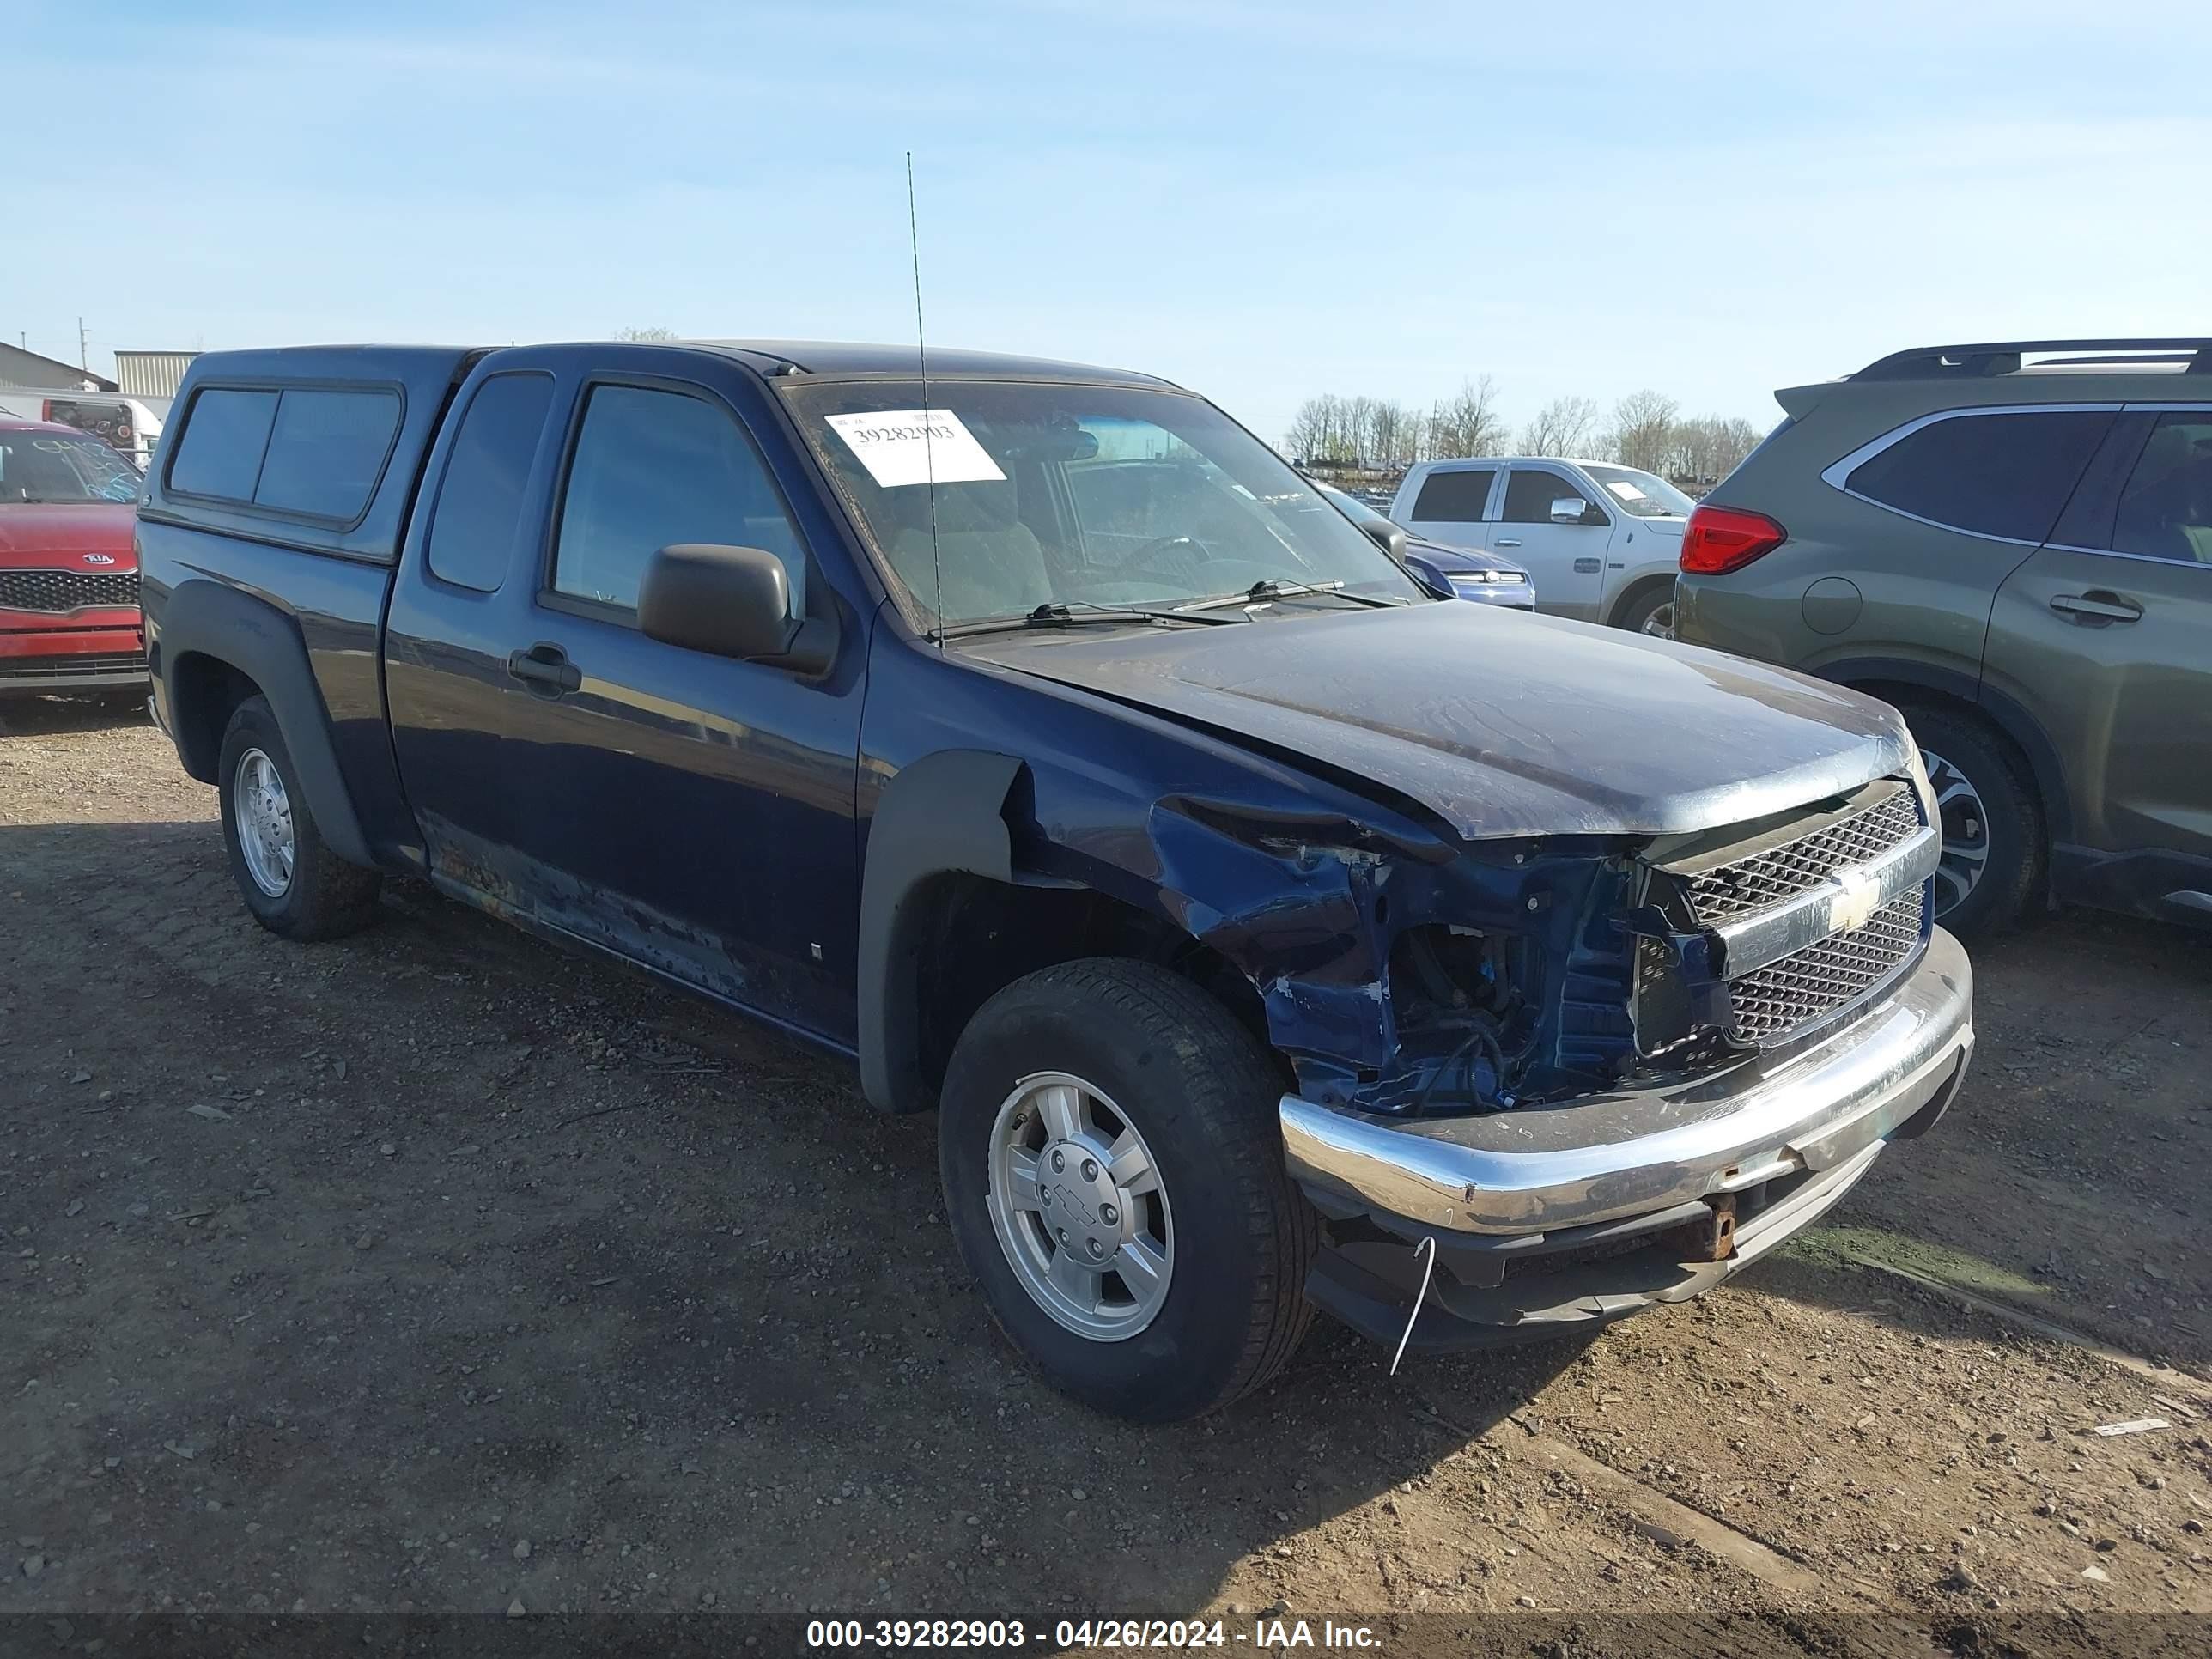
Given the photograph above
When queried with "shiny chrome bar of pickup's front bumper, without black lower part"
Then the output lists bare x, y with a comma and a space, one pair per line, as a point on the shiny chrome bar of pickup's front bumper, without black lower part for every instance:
1614, 1158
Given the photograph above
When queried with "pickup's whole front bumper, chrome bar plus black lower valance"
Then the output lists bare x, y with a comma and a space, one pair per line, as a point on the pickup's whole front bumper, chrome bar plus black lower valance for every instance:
1572, 1215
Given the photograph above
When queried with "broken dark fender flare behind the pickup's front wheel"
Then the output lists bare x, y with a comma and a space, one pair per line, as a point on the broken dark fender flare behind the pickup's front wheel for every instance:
943, 815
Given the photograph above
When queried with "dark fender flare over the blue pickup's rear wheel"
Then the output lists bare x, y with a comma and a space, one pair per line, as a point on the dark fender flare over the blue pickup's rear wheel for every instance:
264, 645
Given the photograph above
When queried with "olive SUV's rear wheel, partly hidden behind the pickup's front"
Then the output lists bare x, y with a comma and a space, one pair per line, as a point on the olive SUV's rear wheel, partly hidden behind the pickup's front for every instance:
1992, 822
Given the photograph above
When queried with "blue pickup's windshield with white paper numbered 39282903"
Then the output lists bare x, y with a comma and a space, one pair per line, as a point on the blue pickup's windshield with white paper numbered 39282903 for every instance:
1081, 497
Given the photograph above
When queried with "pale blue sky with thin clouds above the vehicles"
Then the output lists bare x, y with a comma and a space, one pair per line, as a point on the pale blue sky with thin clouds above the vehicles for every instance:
1258, 200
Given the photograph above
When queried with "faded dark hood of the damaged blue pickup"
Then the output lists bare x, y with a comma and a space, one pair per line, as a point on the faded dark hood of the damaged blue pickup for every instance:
1503, 724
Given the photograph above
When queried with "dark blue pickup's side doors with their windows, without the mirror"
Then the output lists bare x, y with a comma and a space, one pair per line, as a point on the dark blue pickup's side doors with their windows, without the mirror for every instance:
685, 811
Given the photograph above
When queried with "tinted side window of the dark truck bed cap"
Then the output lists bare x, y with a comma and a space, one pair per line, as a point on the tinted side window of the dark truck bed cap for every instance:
304, 450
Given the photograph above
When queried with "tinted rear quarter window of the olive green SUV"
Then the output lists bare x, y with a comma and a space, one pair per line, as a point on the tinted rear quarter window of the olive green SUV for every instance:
1996, 474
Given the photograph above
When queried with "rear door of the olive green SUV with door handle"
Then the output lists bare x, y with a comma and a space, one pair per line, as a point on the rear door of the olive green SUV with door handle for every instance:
2105, 636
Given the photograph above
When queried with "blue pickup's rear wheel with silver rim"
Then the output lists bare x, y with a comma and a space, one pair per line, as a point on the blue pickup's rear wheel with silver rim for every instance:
291, 879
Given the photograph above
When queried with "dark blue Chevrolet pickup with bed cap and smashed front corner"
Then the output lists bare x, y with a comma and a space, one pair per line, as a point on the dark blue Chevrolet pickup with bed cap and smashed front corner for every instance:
1269, 935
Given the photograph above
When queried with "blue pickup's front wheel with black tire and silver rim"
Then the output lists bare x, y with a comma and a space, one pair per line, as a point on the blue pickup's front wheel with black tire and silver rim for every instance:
1114, 1176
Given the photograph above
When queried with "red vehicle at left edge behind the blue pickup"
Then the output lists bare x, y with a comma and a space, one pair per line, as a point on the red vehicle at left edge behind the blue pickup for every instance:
70, 616
